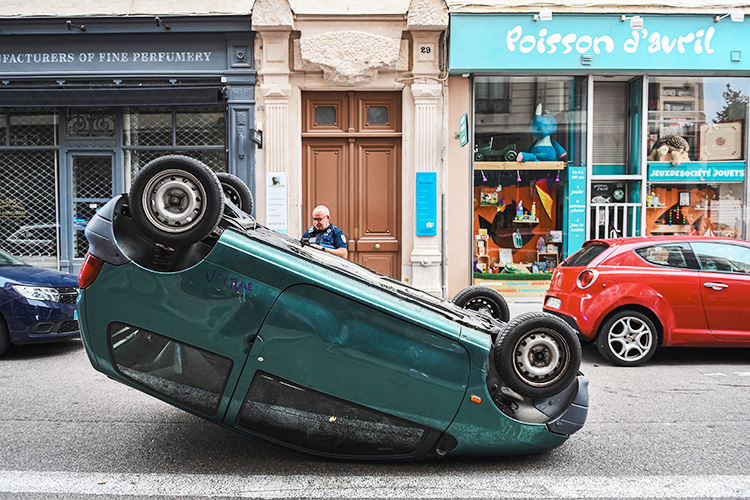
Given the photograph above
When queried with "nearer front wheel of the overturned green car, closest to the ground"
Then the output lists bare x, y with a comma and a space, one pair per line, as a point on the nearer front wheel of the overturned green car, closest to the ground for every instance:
537, 354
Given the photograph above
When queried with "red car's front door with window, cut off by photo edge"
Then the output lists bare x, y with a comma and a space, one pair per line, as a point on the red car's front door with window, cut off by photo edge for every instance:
725, 288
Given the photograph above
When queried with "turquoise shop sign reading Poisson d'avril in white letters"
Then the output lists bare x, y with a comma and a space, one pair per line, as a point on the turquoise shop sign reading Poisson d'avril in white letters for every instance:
492, 42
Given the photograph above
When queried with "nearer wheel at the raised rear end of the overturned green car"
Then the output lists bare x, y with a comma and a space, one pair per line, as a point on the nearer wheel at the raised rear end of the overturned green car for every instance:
176, 200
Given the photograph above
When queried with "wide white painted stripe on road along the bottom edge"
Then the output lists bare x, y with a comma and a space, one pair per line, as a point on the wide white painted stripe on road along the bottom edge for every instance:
483, 485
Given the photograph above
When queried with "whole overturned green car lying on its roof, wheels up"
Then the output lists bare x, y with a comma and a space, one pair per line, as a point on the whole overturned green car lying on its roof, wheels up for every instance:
184, 296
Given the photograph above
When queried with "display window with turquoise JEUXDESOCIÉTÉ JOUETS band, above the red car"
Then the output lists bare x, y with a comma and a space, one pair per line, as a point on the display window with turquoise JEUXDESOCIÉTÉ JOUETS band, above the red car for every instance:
697, 182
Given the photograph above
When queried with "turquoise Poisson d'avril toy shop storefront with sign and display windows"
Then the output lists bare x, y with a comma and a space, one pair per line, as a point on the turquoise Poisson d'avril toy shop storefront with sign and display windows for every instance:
591, 126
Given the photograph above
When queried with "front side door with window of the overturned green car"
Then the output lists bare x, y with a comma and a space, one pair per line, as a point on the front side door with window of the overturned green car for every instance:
336, 376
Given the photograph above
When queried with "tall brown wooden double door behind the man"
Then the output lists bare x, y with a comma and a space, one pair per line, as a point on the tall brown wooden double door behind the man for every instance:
352, 164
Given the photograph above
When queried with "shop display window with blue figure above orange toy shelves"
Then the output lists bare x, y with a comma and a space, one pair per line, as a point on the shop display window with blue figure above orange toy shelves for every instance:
527, 130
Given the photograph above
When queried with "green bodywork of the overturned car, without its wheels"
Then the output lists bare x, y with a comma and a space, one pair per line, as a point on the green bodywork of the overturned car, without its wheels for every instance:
248, 309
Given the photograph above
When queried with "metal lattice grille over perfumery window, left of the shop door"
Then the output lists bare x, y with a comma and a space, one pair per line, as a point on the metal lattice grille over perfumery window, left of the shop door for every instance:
28, 197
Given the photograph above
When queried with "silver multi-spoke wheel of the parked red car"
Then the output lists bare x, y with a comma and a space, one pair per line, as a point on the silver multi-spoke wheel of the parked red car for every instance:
628, 338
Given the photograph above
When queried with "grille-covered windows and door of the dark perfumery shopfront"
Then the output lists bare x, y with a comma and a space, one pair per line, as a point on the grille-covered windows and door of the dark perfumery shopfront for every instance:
37, 214
